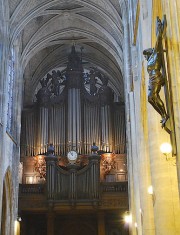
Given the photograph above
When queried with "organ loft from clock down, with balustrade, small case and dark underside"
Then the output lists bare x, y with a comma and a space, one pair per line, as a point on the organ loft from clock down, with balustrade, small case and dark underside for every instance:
58, 190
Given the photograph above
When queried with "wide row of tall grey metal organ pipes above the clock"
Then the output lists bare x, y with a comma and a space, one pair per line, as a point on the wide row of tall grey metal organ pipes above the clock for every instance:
51, 128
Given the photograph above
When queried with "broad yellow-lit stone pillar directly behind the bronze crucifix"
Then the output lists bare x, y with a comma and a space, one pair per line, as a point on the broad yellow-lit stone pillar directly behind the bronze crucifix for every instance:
164, 173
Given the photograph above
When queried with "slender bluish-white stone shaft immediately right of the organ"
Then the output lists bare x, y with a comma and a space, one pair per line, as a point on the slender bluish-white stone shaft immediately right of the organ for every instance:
134, 200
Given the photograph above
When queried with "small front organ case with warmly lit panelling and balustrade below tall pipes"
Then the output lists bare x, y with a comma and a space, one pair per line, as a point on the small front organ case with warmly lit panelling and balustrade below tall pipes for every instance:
82, 182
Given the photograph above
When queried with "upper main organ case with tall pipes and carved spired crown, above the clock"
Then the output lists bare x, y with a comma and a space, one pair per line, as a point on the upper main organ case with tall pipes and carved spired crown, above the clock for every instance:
73, 110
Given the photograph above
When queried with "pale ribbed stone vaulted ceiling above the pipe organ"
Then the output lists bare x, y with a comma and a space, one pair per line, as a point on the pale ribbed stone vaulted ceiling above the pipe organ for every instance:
46, 30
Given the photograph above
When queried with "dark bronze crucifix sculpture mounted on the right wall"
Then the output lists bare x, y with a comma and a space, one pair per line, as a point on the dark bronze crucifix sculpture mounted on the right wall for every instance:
160, 76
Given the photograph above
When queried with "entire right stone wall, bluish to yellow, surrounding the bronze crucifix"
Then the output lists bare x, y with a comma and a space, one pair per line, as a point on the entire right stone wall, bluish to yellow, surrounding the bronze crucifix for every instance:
155, 213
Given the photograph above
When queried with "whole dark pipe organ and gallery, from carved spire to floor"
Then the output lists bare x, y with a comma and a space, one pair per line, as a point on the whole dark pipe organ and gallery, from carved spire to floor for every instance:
73, 151
